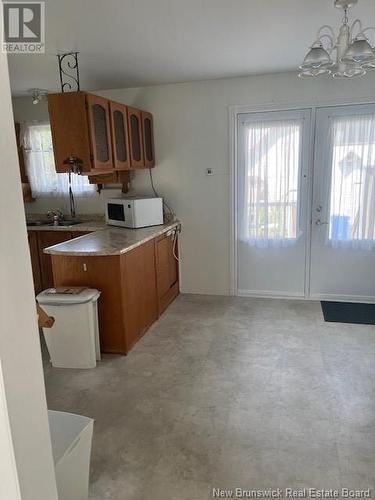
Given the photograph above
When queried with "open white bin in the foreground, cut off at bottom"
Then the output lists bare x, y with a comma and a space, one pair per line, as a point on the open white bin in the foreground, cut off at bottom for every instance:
71, 437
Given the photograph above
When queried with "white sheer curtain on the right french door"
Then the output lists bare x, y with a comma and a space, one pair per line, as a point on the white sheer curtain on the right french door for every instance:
352, 193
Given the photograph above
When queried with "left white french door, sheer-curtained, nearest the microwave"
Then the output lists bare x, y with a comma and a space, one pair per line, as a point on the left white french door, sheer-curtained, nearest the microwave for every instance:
272, 201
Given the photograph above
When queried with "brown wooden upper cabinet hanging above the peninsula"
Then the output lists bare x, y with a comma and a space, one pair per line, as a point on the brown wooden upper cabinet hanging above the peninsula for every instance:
102, 136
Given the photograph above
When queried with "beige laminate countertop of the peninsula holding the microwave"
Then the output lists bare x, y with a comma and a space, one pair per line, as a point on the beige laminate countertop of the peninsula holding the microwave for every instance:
109, 241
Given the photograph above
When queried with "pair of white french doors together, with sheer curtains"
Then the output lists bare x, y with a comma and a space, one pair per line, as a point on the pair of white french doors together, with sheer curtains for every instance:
305, 210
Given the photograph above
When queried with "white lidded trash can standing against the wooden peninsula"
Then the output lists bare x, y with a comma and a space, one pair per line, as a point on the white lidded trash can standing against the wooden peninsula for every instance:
73, 340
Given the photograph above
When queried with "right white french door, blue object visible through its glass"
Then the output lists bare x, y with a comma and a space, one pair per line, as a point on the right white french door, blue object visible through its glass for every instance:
343, 208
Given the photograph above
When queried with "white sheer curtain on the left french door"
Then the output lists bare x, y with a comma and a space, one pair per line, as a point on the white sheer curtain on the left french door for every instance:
268, 197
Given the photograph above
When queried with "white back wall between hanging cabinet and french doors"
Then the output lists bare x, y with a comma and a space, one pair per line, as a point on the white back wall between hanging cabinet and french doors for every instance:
191, 134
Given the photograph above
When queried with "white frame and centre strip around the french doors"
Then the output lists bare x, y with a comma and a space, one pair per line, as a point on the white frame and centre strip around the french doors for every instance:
233, 112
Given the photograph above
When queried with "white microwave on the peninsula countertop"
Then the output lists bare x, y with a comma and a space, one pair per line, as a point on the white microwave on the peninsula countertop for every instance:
134, 212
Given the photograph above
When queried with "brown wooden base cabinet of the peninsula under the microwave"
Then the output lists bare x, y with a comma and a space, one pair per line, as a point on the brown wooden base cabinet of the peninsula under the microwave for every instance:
131, 289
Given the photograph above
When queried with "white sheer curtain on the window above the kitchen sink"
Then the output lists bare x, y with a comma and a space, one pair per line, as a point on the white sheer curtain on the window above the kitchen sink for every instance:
45, 182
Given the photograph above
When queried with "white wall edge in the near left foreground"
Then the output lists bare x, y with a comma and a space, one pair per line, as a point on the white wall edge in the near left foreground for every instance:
23, 404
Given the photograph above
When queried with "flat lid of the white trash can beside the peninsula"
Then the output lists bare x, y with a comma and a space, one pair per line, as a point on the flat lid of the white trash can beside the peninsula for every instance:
67, 295
